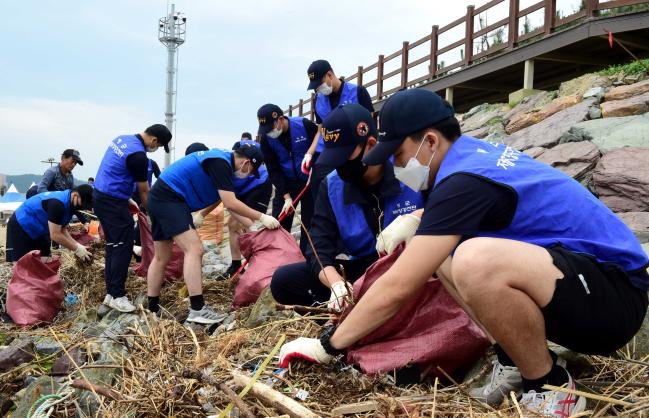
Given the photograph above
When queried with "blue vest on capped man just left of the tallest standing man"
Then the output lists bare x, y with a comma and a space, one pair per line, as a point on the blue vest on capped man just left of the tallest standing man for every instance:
290, 161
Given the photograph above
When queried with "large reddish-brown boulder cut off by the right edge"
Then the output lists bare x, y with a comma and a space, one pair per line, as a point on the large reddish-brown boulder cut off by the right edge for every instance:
622, 179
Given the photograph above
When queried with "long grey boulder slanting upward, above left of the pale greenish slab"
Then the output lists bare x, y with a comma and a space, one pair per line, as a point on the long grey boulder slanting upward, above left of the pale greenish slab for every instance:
548, 132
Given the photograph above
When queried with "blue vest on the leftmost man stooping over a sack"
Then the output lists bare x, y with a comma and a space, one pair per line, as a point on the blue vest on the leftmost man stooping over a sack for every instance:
33, 219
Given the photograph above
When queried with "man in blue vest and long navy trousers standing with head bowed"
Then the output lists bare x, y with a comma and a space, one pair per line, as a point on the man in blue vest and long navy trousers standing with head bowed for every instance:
124, 163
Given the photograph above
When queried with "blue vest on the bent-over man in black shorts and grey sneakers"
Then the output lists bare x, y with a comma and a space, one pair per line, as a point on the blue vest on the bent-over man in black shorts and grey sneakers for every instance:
187, 178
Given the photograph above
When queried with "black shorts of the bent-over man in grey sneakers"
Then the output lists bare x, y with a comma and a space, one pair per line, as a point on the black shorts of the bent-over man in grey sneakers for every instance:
170, 215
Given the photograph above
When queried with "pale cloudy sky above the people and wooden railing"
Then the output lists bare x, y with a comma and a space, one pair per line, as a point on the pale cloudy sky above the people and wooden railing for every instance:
77, 73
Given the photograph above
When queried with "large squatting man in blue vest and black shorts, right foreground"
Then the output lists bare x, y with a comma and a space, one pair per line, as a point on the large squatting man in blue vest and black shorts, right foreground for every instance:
527, 251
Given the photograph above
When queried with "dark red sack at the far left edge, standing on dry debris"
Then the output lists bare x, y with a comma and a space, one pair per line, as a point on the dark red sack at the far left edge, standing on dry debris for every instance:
35, 291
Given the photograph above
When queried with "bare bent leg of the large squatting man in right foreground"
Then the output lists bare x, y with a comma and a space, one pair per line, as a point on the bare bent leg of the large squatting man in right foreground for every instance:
506, 283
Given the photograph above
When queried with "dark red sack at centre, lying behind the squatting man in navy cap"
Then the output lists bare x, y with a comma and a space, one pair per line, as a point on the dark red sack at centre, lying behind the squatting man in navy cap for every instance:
266, 250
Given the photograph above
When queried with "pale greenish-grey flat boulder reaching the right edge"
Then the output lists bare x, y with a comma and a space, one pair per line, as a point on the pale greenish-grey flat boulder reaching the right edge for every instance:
611, 133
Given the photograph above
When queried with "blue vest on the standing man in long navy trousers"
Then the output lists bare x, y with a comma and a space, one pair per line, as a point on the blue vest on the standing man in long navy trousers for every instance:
113, 177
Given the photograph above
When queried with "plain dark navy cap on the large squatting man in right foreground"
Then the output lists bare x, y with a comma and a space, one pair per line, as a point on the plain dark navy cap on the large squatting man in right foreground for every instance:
404, 113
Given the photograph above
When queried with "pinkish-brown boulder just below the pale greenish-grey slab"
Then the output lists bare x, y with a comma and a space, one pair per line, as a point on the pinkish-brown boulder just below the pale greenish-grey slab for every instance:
576, 159
